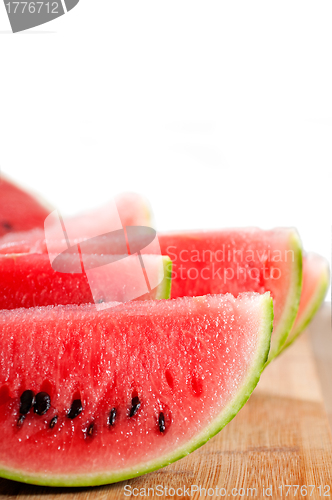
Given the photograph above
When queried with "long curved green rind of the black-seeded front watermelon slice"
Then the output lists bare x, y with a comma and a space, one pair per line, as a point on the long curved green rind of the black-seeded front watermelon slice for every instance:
227, 414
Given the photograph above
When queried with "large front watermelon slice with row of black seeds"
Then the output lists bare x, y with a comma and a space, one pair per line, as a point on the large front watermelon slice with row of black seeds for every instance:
91, 397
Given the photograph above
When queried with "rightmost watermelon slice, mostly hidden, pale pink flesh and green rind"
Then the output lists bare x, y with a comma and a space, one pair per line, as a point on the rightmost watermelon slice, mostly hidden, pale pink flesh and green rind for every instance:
316, 280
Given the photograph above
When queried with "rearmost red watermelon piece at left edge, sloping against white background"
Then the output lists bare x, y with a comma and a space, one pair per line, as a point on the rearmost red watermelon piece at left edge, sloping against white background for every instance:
19, 210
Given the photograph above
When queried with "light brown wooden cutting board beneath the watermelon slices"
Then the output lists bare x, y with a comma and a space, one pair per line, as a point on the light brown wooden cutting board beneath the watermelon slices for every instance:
280, 437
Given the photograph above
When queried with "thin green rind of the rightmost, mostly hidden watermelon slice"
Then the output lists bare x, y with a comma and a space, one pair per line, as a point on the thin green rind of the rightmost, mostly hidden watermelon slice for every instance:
315, 304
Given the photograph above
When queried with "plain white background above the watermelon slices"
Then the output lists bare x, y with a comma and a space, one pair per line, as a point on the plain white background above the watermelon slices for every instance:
219, 112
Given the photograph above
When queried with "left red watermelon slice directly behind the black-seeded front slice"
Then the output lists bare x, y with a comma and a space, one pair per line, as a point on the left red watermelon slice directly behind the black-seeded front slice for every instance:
28, 280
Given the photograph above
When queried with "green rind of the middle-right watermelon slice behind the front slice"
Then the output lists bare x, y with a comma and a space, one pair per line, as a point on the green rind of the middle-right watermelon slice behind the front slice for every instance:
279, 337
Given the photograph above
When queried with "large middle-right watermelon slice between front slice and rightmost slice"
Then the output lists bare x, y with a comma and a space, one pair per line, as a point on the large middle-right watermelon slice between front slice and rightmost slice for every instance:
239, 260
